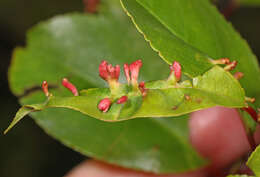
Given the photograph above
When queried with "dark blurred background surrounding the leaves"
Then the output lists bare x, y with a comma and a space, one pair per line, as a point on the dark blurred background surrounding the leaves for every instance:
27, 151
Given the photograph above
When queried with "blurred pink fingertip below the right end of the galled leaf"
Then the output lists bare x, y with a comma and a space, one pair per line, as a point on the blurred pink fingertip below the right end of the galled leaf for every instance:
218, 134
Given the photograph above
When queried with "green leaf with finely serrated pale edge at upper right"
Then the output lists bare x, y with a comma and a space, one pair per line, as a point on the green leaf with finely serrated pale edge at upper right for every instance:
180, 30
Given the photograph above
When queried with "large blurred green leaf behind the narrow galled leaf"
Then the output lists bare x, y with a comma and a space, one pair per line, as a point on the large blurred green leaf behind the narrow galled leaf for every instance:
72, 46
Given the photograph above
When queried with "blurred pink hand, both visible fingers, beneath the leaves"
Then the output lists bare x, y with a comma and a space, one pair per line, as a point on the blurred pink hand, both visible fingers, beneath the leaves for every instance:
216, 133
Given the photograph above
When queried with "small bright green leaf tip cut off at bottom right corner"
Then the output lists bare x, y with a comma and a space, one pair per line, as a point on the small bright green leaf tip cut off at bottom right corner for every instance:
254, 161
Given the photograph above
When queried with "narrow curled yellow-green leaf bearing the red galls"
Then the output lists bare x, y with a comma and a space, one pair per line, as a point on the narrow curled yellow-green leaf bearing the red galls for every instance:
215, 88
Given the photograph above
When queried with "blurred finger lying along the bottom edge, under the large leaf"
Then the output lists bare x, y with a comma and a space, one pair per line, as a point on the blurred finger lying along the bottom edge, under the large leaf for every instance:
93, 168
